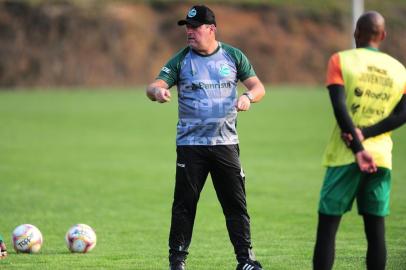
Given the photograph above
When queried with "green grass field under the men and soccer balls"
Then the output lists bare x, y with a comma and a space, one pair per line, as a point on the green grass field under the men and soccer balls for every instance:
107, 159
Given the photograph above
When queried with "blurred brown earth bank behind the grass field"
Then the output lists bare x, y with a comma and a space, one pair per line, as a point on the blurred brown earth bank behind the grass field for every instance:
125, 43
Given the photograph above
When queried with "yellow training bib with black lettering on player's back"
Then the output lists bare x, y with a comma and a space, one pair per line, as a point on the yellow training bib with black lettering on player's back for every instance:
374, 83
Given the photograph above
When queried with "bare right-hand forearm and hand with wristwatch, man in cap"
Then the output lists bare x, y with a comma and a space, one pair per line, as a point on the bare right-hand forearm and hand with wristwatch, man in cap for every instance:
255, 92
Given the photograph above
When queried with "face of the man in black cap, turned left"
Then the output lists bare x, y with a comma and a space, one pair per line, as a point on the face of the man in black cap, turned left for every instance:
199, 37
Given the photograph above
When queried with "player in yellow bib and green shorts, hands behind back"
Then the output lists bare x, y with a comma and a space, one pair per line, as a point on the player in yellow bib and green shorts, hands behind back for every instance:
368, 93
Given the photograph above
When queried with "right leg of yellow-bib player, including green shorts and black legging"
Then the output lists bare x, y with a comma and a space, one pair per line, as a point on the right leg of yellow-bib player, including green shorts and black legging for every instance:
373, 205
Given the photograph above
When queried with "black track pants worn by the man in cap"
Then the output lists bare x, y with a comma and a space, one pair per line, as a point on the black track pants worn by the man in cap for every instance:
193, 165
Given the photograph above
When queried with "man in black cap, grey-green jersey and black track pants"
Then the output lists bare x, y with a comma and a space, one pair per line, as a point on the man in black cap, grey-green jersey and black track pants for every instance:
206, 73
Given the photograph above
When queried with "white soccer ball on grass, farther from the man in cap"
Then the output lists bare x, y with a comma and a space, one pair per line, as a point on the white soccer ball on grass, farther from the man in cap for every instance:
27, 239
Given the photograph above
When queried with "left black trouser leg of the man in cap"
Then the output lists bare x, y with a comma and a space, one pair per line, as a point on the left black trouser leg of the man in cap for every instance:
191, 173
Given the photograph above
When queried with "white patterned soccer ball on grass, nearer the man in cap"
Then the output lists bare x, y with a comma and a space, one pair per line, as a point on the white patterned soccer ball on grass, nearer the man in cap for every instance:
80, 238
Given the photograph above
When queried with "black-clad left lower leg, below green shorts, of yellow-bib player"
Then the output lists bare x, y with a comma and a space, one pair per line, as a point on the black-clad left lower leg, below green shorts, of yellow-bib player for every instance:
324, 249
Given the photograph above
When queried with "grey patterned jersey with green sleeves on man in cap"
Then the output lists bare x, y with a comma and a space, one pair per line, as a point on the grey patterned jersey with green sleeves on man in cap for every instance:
207, 93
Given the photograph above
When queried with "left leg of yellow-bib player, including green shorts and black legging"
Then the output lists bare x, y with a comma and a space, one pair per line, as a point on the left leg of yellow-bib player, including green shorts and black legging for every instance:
337, 195
